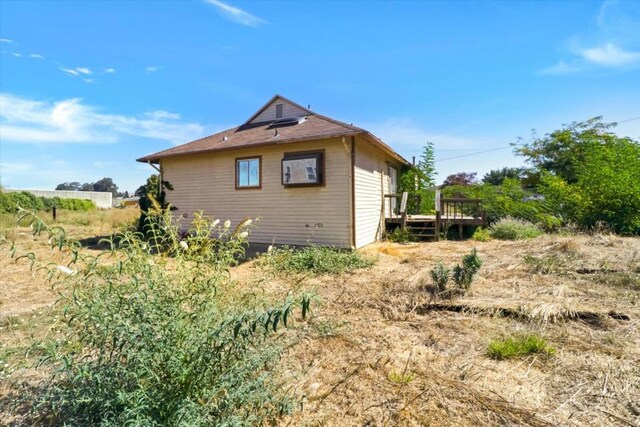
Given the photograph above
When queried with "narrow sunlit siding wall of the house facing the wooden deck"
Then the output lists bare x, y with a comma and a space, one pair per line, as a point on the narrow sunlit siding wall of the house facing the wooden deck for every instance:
371, 182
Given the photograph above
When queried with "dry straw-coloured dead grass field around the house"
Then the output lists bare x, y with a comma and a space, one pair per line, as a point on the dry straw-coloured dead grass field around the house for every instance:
375, 327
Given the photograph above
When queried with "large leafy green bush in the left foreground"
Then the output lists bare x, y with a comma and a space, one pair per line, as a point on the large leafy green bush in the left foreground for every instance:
157, 334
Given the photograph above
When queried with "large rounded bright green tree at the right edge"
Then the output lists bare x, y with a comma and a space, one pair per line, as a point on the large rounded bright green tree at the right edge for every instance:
590, 175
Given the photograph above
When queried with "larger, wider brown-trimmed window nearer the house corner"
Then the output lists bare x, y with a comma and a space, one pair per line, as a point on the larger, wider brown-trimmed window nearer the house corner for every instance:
303, 169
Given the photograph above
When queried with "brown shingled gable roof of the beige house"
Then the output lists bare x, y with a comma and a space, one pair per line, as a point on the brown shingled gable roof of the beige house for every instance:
258, 132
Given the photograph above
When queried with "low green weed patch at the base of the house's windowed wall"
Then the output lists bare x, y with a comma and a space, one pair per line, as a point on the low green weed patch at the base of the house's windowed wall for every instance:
314, 260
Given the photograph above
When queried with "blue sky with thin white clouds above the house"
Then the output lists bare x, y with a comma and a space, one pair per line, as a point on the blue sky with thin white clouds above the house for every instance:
88, 86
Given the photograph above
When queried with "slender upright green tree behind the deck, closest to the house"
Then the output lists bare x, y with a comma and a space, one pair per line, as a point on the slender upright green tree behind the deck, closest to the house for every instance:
420, 179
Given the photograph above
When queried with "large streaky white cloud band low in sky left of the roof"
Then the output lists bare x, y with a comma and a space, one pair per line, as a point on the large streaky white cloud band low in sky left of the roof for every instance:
24, 120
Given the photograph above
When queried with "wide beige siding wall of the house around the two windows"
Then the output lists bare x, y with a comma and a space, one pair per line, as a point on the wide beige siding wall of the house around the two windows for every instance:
296, 216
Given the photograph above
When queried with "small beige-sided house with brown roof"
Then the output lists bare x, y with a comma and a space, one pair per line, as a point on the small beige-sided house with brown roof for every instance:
308, 178
